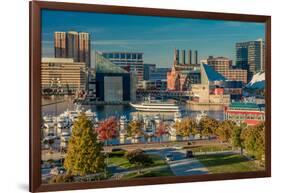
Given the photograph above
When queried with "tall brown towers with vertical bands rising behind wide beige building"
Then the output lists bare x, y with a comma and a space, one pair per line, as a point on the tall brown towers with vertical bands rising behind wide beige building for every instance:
72, 44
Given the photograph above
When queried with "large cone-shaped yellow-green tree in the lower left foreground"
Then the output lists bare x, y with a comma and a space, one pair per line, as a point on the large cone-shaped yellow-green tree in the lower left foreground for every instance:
84, 154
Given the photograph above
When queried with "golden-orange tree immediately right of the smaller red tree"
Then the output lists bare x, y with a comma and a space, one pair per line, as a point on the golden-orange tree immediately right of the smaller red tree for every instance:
186, 127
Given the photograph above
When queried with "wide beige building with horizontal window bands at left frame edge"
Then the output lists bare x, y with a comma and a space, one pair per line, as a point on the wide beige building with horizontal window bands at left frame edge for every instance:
62, 75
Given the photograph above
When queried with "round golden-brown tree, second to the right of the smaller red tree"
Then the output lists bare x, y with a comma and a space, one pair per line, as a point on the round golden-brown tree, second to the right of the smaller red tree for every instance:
207, 126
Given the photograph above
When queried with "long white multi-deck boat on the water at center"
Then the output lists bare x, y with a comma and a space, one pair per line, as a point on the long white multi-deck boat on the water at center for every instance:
156, 106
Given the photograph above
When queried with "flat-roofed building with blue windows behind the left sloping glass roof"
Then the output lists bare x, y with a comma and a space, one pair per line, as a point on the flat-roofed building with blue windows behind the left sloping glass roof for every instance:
129, 61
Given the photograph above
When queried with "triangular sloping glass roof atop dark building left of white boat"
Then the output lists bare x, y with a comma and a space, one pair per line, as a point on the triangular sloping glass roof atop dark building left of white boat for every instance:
104, 65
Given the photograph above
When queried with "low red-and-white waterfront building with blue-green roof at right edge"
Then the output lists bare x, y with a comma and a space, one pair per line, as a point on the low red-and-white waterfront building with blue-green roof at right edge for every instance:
244, 112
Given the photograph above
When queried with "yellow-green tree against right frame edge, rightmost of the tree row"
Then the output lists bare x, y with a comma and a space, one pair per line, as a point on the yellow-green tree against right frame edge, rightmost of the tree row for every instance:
254, 140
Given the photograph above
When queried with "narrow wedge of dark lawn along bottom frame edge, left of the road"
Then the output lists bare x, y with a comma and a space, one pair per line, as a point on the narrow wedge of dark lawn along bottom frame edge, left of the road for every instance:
163, 171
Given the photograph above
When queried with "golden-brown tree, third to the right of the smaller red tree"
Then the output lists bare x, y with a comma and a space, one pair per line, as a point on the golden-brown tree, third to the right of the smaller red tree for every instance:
224, 130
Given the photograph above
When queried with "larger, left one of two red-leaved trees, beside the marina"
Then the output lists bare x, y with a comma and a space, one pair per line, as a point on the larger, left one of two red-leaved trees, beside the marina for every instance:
107, 129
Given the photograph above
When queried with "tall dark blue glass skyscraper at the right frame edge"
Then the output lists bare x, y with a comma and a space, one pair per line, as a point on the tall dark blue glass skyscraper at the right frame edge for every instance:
250, 56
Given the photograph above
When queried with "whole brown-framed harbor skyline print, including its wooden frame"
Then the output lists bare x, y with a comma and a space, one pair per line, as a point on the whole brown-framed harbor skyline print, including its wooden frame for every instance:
125, 96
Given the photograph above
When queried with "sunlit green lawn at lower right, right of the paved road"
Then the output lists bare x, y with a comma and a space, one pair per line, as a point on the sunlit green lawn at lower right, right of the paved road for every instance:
219, 163
